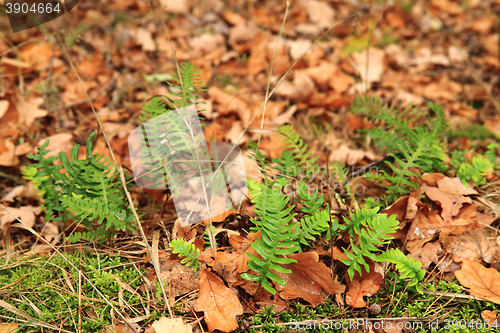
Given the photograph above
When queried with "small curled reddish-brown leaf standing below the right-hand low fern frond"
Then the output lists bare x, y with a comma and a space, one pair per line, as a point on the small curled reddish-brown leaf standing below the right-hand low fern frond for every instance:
366, 285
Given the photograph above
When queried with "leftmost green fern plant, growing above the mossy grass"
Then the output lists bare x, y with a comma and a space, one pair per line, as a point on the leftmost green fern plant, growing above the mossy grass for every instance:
86, 190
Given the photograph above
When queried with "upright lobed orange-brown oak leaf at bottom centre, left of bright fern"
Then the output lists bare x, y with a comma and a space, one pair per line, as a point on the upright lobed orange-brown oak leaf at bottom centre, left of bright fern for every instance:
219, 303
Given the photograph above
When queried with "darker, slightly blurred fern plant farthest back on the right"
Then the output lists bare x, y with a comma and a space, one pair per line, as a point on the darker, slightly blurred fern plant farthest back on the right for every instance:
411, 148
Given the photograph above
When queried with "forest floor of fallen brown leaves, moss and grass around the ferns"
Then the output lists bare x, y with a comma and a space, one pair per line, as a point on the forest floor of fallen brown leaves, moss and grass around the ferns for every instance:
324, 59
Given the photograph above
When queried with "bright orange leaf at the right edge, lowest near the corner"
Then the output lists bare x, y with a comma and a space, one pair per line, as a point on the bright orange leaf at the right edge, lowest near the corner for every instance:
483, 282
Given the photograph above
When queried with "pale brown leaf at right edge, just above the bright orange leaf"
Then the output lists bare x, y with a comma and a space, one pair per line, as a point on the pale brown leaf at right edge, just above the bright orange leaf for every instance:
474, 244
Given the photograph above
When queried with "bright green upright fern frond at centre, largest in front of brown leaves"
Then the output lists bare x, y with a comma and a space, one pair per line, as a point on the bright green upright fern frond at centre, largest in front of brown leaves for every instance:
278, 239
